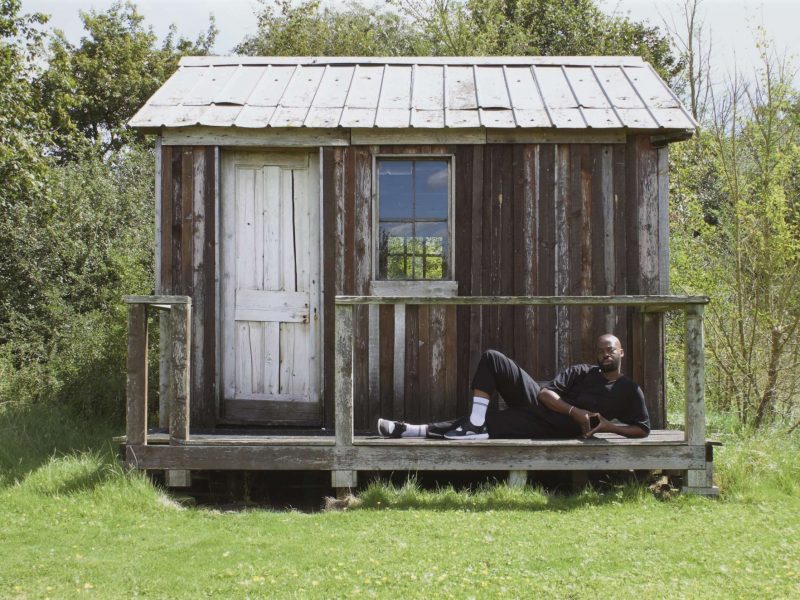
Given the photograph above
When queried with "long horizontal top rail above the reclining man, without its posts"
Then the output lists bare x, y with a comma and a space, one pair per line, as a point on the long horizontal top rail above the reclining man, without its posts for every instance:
661, 303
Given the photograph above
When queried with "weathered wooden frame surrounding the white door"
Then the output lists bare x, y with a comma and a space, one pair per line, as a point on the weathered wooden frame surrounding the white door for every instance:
270, 412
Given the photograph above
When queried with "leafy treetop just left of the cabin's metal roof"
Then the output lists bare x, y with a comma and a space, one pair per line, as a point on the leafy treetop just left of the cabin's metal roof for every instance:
91, 89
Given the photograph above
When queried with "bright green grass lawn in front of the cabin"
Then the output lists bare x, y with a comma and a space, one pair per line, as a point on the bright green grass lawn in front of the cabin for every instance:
75, 525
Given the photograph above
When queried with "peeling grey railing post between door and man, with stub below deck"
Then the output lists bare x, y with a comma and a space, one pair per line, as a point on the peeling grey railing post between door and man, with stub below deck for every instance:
343, 390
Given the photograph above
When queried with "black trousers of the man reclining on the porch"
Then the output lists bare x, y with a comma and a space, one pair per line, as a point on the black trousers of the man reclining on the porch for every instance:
525, 416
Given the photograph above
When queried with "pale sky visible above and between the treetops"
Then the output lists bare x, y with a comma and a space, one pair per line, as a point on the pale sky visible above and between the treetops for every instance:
731, 22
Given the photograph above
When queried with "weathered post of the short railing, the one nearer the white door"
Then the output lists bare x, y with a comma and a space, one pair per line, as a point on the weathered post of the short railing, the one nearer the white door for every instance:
180, 316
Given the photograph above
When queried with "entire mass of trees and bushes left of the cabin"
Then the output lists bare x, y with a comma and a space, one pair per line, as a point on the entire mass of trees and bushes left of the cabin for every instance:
76, 204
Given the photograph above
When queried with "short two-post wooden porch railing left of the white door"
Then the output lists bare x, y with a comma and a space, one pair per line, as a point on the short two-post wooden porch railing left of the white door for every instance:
179, 310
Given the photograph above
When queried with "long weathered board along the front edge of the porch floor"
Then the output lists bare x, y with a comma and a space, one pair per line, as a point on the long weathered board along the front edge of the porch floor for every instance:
421, 457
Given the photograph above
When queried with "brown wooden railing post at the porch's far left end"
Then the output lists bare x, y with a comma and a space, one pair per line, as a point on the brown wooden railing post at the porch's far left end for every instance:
136, 406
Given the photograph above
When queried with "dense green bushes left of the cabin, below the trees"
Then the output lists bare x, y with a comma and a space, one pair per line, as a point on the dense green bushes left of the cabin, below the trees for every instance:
64, 331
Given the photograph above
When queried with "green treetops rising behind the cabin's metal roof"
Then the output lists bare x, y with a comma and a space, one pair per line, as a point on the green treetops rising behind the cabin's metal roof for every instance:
455, 28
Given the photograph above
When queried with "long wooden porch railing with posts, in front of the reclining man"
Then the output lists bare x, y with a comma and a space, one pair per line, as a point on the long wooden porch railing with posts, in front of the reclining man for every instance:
695, 425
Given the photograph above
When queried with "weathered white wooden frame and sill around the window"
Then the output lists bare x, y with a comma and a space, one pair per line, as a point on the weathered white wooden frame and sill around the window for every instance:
447, 286
